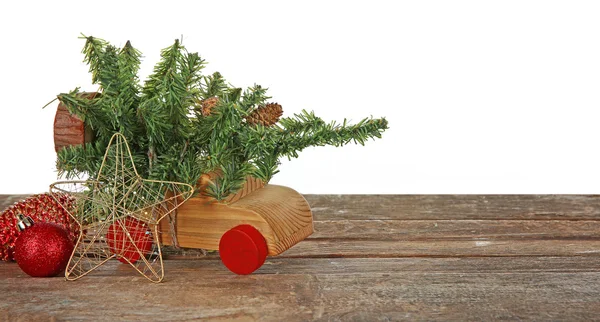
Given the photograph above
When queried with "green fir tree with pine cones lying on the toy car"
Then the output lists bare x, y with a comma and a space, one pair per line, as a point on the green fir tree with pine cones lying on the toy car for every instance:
182, 124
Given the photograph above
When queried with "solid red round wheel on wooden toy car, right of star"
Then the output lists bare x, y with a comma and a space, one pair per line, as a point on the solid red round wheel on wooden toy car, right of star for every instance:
243, 249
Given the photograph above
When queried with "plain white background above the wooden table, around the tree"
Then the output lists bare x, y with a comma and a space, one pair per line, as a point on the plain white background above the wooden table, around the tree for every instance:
481, 96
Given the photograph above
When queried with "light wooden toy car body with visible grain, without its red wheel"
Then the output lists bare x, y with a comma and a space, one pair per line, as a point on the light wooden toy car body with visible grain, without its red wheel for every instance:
281, 215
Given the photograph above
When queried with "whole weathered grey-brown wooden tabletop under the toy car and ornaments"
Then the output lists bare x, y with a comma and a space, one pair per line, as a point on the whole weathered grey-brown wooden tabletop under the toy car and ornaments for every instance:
372, 257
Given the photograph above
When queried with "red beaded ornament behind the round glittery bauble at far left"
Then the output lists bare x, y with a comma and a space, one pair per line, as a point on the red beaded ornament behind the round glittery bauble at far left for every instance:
40, 208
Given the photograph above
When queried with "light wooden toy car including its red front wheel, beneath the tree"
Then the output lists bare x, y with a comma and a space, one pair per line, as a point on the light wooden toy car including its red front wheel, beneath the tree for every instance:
259, 220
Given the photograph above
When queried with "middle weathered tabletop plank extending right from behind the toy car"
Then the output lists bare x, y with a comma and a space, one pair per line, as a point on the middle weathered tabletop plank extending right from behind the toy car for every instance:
412, 238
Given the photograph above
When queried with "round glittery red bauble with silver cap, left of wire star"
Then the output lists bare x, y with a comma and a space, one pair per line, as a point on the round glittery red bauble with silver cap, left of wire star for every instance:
43, 250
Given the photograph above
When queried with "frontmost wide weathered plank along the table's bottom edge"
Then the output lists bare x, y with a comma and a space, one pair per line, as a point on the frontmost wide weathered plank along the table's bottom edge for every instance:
392, 295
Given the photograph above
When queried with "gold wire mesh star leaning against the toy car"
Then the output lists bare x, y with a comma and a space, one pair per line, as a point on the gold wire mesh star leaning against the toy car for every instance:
119, 213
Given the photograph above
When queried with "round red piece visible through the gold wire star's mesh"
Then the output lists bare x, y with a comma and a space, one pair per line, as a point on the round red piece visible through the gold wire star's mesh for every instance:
121, 244
